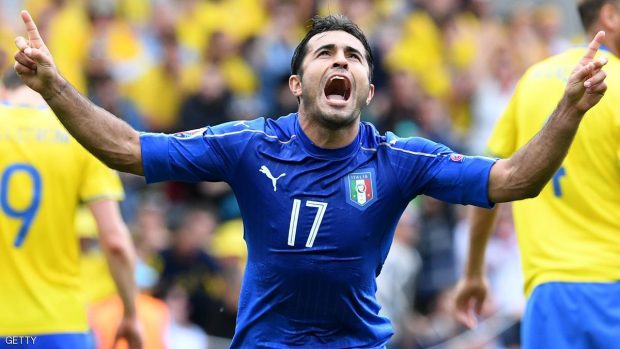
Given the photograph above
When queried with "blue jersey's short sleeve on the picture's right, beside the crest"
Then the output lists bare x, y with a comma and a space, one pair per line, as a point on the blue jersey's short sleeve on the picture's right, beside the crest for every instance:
429, 168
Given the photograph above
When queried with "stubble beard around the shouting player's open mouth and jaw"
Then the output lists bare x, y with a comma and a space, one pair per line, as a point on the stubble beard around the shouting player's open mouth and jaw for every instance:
328, 117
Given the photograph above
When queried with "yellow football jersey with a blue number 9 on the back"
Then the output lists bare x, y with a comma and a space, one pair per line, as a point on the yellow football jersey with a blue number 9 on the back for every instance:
44, 174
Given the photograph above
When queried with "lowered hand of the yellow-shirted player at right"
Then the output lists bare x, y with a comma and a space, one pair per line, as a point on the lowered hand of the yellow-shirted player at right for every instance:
469, 298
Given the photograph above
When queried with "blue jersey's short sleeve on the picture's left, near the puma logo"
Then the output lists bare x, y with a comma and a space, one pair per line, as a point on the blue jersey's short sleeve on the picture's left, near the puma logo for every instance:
206, 154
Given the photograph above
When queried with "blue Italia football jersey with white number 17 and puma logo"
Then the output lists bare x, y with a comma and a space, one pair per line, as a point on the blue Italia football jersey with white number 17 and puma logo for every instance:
318, 222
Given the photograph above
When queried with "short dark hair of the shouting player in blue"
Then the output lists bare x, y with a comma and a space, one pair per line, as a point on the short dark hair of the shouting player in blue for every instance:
330, 23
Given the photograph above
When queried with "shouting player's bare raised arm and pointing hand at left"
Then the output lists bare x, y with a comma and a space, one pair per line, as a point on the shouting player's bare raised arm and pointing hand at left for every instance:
109, 138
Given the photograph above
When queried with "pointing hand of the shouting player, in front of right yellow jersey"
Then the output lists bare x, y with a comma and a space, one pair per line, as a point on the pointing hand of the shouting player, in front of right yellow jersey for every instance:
586, 84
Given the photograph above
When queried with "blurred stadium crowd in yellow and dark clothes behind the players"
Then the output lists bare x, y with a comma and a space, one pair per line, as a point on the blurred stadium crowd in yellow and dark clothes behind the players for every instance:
445, 69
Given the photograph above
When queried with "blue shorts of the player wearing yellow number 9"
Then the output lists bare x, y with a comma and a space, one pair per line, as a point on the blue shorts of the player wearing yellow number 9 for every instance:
49, 341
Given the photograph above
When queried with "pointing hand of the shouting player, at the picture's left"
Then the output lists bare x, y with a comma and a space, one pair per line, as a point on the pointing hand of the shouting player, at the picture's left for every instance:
34, 63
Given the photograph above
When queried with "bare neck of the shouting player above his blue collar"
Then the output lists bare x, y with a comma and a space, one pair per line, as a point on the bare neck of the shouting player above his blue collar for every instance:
325, 137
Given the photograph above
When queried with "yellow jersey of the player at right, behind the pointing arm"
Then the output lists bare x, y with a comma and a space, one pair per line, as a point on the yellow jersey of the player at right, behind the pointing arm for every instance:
571, 232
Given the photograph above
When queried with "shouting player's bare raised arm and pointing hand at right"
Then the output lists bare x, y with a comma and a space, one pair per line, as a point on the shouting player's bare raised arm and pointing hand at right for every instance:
528, 170
